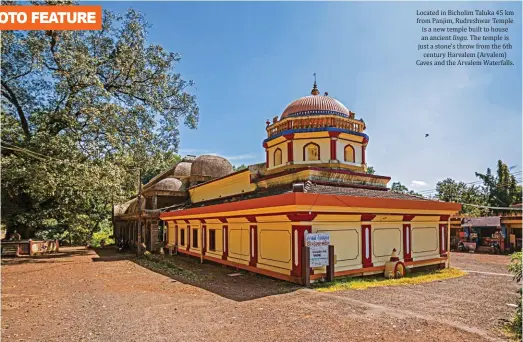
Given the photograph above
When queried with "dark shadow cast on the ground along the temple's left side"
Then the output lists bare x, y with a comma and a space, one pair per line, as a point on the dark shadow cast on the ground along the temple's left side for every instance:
208, 276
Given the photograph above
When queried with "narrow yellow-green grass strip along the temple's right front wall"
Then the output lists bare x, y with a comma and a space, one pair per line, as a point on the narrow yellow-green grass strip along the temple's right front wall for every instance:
362, 283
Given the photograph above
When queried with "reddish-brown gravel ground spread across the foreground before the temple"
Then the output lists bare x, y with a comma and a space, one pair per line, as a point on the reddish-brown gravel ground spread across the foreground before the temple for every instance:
83, 295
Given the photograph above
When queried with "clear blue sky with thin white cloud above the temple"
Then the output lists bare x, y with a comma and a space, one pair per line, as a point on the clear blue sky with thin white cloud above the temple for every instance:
249, 60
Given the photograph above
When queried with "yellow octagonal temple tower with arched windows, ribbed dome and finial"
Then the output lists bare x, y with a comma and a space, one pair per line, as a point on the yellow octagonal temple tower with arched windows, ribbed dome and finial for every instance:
316, 130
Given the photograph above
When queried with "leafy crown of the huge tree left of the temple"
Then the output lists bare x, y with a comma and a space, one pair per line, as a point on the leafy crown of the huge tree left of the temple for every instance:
81, 111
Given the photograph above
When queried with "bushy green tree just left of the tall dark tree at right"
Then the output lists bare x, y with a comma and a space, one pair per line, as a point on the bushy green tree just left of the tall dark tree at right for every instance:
449, 190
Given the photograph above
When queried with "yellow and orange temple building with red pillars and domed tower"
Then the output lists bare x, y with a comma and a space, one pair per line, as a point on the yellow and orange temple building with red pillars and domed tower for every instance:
314, 180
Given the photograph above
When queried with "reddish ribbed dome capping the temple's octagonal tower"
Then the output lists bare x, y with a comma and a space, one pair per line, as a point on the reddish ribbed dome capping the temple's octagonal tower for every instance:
315, 104
